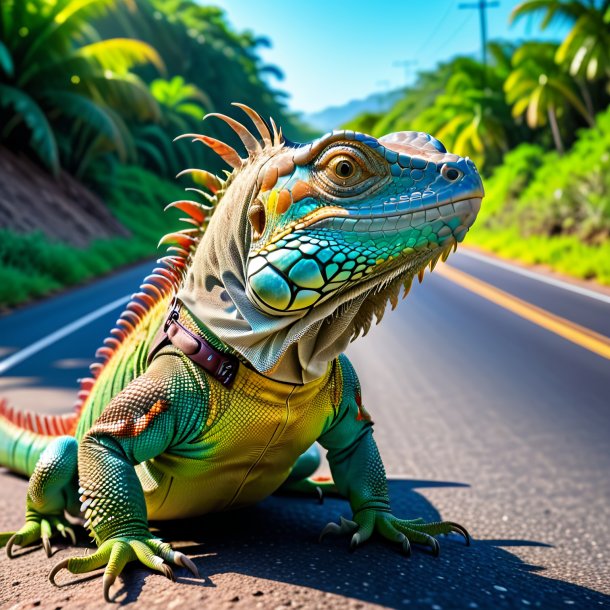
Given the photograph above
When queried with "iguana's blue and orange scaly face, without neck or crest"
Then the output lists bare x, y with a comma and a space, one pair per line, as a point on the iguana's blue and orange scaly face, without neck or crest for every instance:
350, 209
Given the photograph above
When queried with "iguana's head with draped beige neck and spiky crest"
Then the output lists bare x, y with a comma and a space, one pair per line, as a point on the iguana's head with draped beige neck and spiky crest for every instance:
307, 243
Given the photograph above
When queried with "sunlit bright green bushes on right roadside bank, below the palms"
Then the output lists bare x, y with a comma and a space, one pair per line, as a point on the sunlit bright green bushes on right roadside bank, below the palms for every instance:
543, 208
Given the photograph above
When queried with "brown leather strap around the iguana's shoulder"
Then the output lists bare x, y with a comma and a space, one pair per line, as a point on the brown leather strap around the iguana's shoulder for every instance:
222, 367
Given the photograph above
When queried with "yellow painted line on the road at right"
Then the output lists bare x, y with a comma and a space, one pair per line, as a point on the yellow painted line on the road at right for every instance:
594, 342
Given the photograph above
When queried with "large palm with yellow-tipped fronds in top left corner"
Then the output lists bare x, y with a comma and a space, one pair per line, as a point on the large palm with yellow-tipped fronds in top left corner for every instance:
68, 99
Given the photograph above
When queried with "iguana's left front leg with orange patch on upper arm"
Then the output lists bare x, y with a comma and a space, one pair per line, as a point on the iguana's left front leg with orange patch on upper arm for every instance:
155, 412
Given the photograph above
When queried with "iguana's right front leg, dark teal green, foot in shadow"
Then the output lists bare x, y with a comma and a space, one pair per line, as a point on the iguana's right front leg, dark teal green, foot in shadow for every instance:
359, 475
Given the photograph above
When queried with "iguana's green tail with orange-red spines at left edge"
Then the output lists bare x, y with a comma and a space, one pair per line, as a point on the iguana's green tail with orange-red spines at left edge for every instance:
25, 435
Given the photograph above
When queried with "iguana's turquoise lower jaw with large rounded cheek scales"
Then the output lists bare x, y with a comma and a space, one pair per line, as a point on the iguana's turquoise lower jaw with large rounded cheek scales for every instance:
409, 247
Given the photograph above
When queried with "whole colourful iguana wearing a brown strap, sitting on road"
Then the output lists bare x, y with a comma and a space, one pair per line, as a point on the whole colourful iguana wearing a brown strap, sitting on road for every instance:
228, 364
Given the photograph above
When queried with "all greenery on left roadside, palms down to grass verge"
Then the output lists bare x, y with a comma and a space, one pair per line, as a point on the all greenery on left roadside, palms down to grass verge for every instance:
99, 89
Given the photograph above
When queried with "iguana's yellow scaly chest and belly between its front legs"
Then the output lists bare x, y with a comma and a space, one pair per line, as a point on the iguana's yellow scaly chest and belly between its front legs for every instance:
252, 436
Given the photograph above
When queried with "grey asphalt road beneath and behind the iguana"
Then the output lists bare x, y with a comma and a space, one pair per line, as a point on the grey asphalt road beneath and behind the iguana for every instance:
482, 417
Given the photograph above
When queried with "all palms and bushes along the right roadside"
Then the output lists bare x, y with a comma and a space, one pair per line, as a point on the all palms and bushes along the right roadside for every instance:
537, 123
